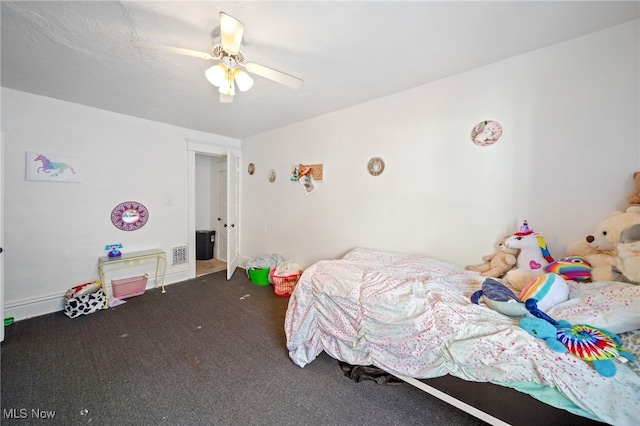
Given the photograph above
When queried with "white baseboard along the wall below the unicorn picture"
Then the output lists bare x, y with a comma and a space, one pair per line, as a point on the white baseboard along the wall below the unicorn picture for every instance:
42, 305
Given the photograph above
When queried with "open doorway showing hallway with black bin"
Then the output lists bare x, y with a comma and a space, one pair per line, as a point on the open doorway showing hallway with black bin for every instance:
210, 213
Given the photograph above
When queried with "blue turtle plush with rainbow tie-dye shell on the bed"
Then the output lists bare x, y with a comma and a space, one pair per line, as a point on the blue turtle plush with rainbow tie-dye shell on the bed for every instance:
595, 345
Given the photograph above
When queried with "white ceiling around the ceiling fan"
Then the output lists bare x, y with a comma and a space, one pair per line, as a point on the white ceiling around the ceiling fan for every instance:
346, 52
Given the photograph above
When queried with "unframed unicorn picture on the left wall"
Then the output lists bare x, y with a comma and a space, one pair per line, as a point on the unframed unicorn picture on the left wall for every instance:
51, 167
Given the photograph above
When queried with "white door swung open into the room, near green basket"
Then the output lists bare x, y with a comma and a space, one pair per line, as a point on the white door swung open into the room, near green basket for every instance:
231, 224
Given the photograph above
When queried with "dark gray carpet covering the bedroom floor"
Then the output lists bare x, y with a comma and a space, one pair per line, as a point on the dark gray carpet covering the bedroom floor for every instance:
208, 352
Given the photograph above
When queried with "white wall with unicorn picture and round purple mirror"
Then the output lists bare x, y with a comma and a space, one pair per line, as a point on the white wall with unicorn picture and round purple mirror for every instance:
55, 232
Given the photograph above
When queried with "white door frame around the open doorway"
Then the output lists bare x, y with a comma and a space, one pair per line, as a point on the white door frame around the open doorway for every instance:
202, 148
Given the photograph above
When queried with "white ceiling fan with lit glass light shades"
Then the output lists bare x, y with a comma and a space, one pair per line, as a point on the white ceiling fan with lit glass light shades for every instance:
228, 72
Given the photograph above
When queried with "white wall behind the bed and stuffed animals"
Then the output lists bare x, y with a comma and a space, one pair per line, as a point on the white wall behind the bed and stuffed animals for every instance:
570, 144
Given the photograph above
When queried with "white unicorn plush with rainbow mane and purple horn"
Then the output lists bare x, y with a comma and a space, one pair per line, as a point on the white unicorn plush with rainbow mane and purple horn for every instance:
532, 260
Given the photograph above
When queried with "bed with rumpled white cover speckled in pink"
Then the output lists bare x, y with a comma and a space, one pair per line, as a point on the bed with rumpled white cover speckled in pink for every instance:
411, 316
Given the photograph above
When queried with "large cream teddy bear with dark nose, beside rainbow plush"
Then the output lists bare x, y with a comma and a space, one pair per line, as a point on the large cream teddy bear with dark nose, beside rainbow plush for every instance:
600, 249
